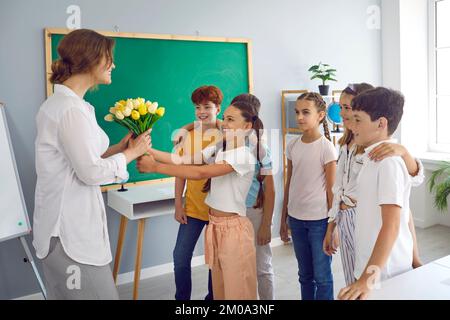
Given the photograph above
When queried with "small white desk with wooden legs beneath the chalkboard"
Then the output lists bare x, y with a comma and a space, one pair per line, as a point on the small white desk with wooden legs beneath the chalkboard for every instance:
140, 203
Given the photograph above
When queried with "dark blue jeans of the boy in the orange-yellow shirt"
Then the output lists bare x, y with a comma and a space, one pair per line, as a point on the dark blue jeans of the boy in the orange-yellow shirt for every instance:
187, 238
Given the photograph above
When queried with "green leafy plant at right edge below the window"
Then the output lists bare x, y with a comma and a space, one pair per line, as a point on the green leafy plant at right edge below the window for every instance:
439, 184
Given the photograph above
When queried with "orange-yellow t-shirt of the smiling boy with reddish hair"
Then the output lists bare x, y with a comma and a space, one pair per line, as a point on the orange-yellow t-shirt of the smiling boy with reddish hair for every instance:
195, 206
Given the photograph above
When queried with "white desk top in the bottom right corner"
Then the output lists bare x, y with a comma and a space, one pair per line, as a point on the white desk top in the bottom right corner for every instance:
429, 282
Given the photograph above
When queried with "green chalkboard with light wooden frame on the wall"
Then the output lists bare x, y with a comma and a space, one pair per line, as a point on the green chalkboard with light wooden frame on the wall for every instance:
166, 71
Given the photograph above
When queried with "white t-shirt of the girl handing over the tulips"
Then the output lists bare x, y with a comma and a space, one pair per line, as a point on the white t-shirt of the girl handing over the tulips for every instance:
229, 192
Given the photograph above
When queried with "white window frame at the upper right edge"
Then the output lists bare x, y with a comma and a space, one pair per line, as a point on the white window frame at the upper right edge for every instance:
433, 144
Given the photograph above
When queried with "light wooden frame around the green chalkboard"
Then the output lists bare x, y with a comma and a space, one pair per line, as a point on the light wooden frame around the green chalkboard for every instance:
48, 32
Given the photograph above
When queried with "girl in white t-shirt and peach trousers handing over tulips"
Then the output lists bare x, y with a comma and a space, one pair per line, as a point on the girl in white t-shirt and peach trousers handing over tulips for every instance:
229, 238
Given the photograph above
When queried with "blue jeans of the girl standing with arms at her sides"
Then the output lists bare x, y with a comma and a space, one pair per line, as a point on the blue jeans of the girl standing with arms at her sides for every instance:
316, 279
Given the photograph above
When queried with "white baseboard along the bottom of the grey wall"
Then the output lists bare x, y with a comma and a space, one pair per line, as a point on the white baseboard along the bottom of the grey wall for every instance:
150, 272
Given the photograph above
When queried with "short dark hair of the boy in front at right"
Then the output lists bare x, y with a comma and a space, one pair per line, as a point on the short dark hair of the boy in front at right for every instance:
381, 102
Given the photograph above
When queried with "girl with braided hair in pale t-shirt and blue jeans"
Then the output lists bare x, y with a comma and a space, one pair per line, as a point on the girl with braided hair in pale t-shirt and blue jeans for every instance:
308, 197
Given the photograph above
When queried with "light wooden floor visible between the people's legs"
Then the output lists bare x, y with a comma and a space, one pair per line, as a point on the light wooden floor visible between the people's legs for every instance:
434, 243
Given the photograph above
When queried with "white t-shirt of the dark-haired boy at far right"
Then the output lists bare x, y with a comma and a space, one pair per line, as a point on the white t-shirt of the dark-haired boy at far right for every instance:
384, 182
